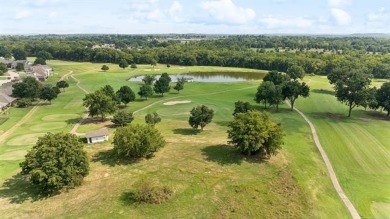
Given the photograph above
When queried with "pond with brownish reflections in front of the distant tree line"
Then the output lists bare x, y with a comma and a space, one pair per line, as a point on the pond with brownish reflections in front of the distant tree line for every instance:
212, 76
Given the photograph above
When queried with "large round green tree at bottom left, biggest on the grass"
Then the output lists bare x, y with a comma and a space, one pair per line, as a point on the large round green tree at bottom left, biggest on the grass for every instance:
56, 161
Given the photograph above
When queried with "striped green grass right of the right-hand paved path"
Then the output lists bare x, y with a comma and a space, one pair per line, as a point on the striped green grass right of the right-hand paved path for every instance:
358, 147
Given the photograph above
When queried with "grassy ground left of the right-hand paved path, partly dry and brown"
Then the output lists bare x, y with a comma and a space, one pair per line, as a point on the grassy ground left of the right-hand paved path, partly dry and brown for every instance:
209, 178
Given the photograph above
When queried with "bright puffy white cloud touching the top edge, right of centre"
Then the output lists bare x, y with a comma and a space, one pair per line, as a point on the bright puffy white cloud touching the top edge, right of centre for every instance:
227, 11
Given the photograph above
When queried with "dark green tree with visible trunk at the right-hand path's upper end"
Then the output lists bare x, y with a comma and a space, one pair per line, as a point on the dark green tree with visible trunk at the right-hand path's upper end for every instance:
293, 89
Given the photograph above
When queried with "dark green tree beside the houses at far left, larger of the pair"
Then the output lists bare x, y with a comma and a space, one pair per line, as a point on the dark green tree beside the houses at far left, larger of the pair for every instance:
28, 88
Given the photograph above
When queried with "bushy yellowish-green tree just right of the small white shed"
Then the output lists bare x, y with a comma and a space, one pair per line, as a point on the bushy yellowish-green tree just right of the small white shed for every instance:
137, 141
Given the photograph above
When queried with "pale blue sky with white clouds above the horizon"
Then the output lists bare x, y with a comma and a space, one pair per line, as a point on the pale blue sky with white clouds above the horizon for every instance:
194, 16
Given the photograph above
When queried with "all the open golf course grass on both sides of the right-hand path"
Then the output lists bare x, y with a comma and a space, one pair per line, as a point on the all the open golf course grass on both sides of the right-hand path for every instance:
209, 177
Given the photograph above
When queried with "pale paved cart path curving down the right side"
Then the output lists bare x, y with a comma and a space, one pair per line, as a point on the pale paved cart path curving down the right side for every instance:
352, 210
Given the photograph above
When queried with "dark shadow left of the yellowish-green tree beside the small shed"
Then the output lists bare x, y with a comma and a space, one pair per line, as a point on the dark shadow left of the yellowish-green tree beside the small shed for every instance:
109, 158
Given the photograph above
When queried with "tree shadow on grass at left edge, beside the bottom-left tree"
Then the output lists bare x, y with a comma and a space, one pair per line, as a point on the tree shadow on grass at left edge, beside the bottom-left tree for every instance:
18, 190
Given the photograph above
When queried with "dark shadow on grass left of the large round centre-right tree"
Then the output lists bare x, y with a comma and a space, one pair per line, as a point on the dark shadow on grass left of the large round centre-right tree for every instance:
222, 154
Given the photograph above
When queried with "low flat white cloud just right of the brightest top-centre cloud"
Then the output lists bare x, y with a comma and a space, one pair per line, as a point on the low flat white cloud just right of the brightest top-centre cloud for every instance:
273, 22
